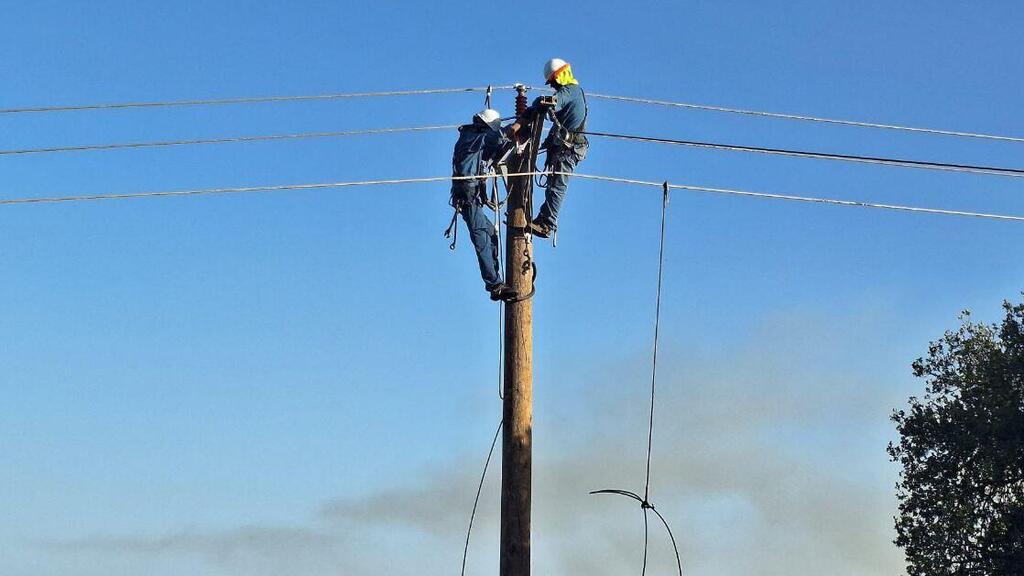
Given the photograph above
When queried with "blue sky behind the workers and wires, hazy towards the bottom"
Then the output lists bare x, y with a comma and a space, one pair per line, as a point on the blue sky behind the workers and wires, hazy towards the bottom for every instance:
304, 383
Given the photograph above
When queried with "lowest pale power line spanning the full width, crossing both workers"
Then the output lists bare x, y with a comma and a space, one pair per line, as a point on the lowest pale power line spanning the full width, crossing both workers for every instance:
199, 192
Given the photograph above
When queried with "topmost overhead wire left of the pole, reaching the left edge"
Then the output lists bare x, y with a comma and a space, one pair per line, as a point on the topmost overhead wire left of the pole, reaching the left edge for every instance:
251, 100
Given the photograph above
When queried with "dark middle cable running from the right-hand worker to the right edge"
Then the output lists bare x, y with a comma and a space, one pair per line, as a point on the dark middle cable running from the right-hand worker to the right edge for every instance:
999, 172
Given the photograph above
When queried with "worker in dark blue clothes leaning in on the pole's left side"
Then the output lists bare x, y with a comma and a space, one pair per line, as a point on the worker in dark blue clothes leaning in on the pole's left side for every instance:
479, 146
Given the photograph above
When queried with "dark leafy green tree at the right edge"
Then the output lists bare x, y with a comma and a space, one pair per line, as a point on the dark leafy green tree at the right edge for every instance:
962, 450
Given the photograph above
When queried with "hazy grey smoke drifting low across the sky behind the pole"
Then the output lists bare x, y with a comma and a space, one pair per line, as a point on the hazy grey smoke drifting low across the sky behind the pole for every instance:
770, 460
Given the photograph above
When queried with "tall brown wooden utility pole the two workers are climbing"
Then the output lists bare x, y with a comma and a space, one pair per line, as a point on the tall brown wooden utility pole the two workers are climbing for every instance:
518, 441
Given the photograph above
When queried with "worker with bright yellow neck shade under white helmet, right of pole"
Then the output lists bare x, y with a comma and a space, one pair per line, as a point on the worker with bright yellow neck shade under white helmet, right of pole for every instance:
567, 145
